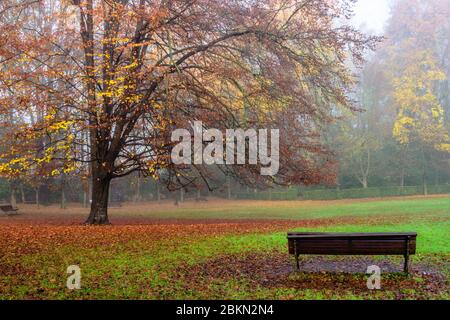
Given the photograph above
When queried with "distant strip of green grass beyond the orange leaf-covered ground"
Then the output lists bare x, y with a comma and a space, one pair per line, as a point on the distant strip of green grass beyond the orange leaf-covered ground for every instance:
423, 207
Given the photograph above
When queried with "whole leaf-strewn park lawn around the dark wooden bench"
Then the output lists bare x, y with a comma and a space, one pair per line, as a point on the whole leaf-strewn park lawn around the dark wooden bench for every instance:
139, 257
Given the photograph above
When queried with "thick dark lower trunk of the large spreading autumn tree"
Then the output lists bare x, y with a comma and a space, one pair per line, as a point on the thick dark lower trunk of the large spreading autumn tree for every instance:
99, 205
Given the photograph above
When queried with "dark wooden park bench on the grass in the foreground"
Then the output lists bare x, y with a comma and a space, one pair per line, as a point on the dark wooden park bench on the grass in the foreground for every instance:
323, 243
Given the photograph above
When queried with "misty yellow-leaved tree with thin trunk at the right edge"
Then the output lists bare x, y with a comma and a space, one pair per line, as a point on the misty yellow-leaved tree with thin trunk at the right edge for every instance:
420, 116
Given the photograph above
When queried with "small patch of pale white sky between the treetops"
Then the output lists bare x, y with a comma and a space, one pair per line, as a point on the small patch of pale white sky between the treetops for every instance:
372, 13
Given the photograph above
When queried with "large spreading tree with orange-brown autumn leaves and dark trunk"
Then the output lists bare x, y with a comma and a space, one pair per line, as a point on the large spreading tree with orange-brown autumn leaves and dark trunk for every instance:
128, 72
